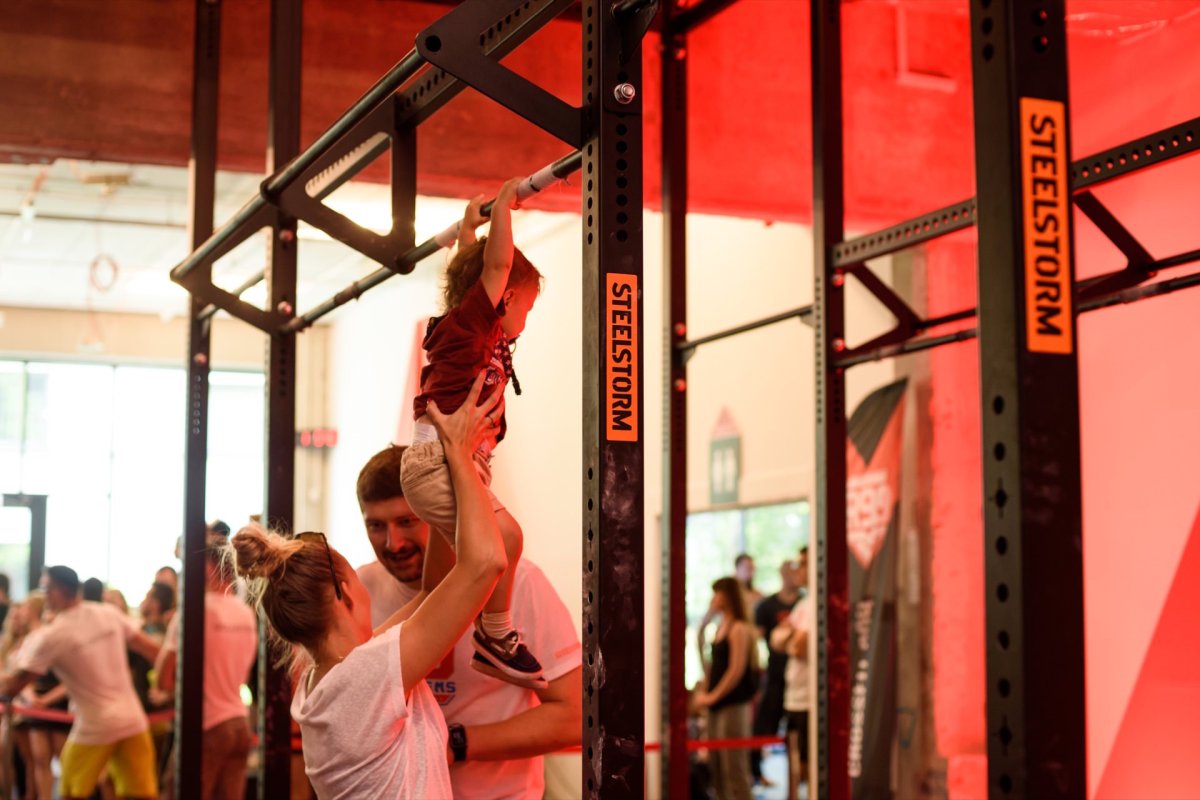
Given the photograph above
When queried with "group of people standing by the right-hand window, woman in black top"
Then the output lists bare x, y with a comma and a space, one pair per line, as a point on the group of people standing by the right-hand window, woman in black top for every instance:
740, 696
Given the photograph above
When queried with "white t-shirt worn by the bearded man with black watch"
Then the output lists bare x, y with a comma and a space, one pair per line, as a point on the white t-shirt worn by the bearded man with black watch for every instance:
471, 697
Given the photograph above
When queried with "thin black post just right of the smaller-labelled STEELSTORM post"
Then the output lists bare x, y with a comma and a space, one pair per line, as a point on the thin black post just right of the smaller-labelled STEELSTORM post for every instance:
675, 392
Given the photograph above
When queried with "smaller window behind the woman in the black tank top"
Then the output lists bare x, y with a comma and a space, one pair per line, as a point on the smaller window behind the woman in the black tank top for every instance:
771, 534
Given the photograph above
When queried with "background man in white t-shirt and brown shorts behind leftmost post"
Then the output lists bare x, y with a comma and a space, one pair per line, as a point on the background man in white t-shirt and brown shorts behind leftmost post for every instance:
231, 643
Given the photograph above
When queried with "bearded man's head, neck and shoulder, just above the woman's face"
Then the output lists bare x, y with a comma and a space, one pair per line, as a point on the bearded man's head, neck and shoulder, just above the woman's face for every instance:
398, 536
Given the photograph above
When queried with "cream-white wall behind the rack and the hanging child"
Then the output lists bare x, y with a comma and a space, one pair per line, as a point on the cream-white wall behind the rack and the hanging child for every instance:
740, 270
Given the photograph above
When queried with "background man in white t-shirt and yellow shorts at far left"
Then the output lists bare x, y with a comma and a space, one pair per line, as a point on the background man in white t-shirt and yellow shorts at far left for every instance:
86, 647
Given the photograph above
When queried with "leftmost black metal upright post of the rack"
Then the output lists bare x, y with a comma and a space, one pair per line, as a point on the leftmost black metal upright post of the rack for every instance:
202, 189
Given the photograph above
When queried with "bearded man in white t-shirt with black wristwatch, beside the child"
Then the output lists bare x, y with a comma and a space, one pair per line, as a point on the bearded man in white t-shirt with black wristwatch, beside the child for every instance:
500, 732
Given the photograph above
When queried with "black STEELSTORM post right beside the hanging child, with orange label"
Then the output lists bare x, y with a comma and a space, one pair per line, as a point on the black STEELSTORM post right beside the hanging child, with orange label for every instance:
614, 560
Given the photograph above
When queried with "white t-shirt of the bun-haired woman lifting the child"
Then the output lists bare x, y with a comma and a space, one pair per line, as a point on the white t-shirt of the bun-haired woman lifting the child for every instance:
362, 739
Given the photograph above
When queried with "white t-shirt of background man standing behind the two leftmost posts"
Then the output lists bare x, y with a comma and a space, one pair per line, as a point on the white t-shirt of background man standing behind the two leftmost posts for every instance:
231, 642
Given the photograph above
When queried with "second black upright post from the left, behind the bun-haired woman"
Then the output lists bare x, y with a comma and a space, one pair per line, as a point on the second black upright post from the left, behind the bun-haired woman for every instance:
284, 143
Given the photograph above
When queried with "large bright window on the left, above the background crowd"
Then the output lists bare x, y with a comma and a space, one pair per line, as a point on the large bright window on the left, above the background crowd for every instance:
106, 444
